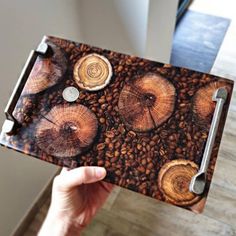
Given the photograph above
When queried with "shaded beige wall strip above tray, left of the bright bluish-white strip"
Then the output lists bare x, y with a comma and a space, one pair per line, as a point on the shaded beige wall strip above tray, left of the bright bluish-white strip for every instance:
102, 25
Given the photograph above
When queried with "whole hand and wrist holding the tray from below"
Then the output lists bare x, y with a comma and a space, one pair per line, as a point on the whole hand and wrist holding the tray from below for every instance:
76, 197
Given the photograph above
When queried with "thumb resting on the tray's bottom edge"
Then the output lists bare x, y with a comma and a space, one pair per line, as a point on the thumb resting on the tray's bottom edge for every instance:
69, 179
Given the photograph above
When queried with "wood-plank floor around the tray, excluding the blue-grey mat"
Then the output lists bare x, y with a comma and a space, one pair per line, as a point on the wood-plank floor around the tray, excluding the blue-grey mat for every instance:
129, 213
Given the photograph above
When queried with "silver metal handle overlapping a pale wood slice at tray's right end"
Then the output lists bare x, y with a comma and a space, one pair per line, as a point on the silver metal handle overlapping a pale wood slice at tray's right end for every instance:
198, 181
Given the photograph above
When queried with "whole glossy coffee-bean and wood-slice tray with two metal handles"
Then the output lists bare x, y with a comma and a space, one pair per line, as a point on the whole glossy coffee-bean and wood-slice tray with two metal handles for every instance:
155, 128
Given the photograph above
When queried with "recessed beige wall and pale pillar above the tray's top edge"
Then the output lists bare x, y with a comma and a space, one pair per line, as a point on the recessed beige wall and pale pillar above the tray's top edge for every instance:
139, 27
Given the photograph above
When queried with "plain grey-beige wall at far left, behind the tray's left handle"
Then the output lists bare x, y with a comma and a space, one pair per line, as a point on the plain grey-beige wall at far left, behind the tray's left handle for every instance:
22, 25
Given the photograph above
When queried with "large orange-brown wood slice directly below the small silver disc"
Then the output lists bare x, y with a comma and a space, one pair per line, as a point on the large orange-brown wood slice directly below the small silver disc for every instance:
66, 130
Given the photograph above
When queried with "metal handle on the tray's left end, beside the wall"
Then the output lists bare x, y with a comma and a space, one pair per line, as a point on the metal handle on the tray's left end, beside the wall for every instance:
10, 121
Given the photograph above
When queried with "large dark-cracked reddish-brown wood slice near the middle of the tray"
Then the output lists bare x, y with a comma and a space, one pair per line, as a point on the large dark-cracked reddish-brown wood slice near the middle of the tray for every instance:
146, 102
